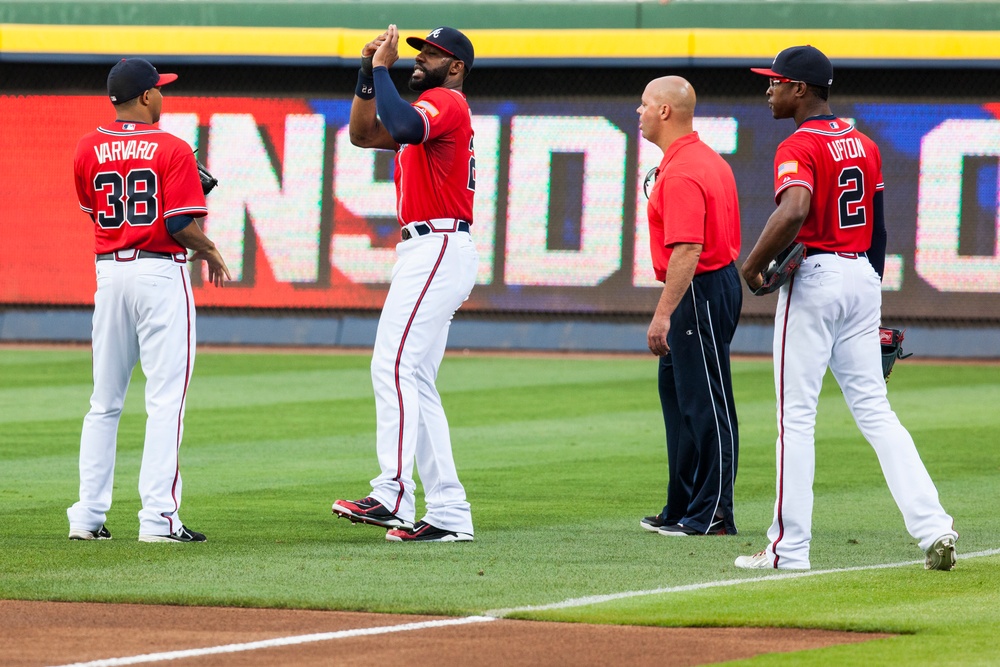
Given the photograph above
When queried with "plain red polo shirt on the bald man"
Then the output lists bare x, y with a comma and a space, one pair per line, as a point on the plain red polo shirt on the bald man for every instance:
694, 201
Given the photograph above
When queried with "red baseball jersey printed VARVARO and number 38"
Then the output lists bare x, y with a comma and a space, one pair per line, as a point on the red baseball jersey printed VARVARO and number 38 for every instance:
130, 177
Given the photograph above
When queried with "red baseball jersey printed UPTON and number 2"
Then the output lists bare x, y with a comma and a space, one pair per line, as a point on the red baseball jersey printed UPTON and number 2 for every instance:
842, 168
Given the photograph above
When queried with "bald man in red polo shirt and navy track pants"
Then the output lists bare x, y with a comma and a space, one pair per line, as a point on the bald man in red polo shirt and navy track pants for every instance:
694, 233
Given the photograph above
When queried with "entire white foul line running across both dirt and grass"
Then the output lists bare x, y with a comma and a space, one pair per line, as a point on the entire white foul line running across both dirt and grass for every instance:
488, 616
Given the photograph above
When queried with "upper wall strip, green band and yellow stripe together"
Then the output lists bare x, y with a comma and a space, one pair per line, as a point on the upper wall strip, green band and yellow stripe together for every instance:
681, 32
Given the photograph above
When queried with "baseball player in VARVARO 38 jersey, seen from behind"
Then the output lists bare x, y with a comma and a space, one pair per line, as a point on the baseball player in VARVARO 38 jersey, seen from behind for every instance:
141, 188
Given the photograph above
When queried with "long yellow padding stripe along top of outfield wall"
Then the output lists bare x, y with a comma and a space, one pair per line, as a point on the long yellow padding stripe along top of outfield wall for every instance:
500, 44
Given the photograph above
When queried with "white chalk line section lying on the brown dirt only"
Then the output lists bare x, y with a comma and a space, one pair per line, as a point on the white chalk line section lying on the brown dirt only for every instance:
280, 641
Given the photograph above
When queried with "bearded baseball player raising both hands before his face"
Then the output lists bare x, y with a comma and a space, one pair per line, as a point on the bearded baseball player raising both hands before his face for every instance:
434, 275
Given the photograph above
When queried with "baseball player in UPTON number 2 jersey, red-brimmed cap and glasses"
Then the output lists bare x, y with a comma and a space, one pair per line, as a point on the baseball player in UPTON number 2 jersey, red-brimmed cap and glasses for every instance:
828, 190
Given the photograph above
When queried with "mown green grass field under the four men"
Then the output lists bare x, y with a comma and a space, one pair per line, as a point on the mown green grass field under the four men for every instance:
560, 457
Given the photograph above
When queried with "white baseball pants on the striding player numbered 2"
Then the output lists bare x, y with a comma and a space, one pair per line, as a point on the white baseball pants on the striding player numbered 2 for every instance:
829, 314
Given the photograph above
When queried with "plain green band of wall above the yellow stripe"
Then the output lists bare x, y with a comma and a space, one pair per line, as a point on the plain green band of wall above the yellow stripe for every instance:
844, 14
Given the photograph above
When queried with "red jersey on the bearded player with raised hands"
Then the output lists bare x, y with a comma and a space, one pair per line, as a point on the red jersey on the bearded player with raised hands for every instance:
437, 178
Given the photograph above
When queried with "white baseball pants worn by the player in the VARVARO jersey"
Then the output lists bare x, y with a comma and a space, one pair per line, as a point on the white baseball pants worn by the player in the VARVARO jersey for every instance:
143, 312
